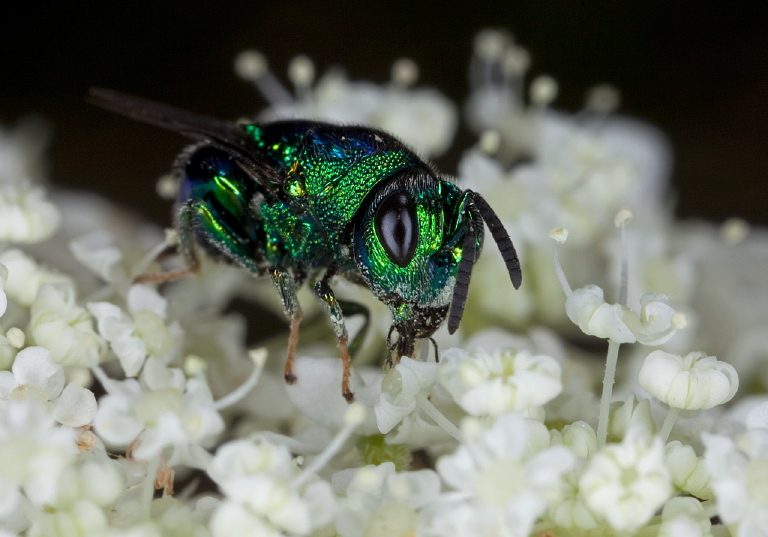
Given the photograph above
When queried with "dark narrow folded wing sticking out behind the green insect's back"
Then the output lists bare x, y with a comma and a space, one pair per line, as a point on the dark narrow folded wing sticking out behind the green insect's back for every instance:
224, 134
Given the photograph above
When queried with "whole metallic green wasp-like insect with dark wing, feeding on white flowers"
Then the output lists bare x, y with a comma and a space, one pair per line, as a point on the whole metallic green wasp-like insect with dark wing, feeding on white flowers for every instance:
306, 201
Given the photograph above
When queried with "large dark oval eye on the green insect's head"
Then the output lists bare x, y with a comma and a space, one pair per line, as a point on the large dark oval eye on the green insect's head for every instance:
397, 227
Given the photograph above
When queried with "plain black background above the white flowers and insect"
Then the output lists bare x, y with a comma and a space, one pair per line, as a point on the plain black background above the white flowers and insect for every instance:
698, 70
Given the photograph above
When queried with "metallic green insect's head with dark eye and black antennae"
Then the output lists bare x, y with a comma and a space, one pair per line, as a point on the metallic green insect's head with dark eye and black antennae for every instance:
415, 240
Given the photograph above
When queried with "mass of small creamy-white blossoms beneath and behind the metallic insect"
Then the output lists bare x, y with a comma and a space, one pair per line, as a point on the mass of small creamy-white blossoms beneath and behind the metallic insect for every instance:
128, 410
